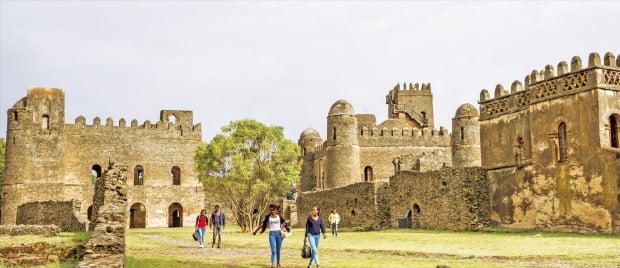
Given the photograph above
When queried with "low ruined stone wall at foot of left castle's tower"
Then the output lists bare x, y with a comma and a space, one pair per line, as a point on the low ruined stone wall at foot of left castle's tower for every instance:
64, 214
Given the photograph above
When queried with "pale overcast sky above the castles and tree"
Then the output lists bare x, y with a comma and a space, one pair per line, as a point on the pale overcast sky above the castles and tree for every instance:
283, 63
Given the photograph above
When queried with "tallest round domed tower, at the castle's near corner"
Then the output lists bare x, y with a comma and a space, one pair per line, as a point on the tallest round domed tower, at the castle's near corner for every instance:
343, 153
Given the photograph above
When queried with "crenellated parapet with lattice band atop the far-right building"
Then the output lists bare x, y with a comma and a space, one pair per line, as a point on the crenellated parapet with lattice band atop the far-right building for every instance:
548, 84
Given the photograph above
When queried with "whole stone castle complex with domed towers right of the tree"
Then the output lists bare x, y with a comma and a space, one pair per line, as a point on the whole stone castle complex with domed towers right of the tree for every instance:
546, 155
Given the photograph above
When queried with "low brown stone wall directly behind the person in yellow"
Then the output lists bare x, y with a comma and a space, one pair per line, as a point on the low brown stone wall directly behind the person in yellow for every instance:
355, 203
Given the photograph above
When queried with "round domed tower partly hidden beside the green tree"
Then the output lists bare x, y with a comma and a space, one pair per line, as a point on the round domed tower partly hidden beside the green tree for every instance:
308, 140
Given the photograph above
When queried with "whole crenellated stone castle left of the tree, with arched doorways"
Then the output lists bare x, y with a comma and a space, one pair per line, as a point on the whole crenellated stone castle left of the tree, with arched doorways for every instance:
48, 160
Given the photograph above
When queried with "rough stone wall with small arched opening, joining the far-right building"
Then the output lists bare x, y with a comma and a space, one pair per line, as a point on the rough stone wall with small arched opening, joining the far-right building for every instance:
452, 199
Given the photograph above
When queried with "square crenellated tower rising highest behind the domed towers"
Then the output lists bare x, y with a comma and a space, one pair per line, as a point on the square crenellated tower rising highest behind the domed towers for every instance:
413, 102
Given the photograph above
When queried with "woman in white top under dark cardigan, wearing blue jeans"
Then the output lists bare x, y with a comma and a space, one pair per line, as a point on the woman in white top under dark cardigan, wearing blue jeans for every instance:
275, 223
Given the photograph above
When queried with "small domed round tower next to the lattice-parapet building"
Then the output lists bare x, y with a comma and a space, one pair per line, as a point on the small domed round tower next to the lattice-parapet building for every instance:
466, 137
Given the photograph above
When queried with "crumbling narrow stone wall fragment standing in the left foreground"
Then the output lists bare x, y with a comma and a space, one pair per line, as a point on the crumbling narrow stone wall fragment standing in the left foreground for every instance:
106, 248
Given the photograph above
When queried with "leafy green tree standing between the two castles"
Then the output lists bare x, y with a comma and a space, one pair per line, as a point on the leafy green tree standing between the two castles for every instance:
246, 166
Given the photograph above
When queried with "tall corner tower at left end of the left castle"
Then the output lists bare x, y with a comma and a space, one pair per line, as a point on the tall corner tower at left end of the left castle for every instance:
34, 150
